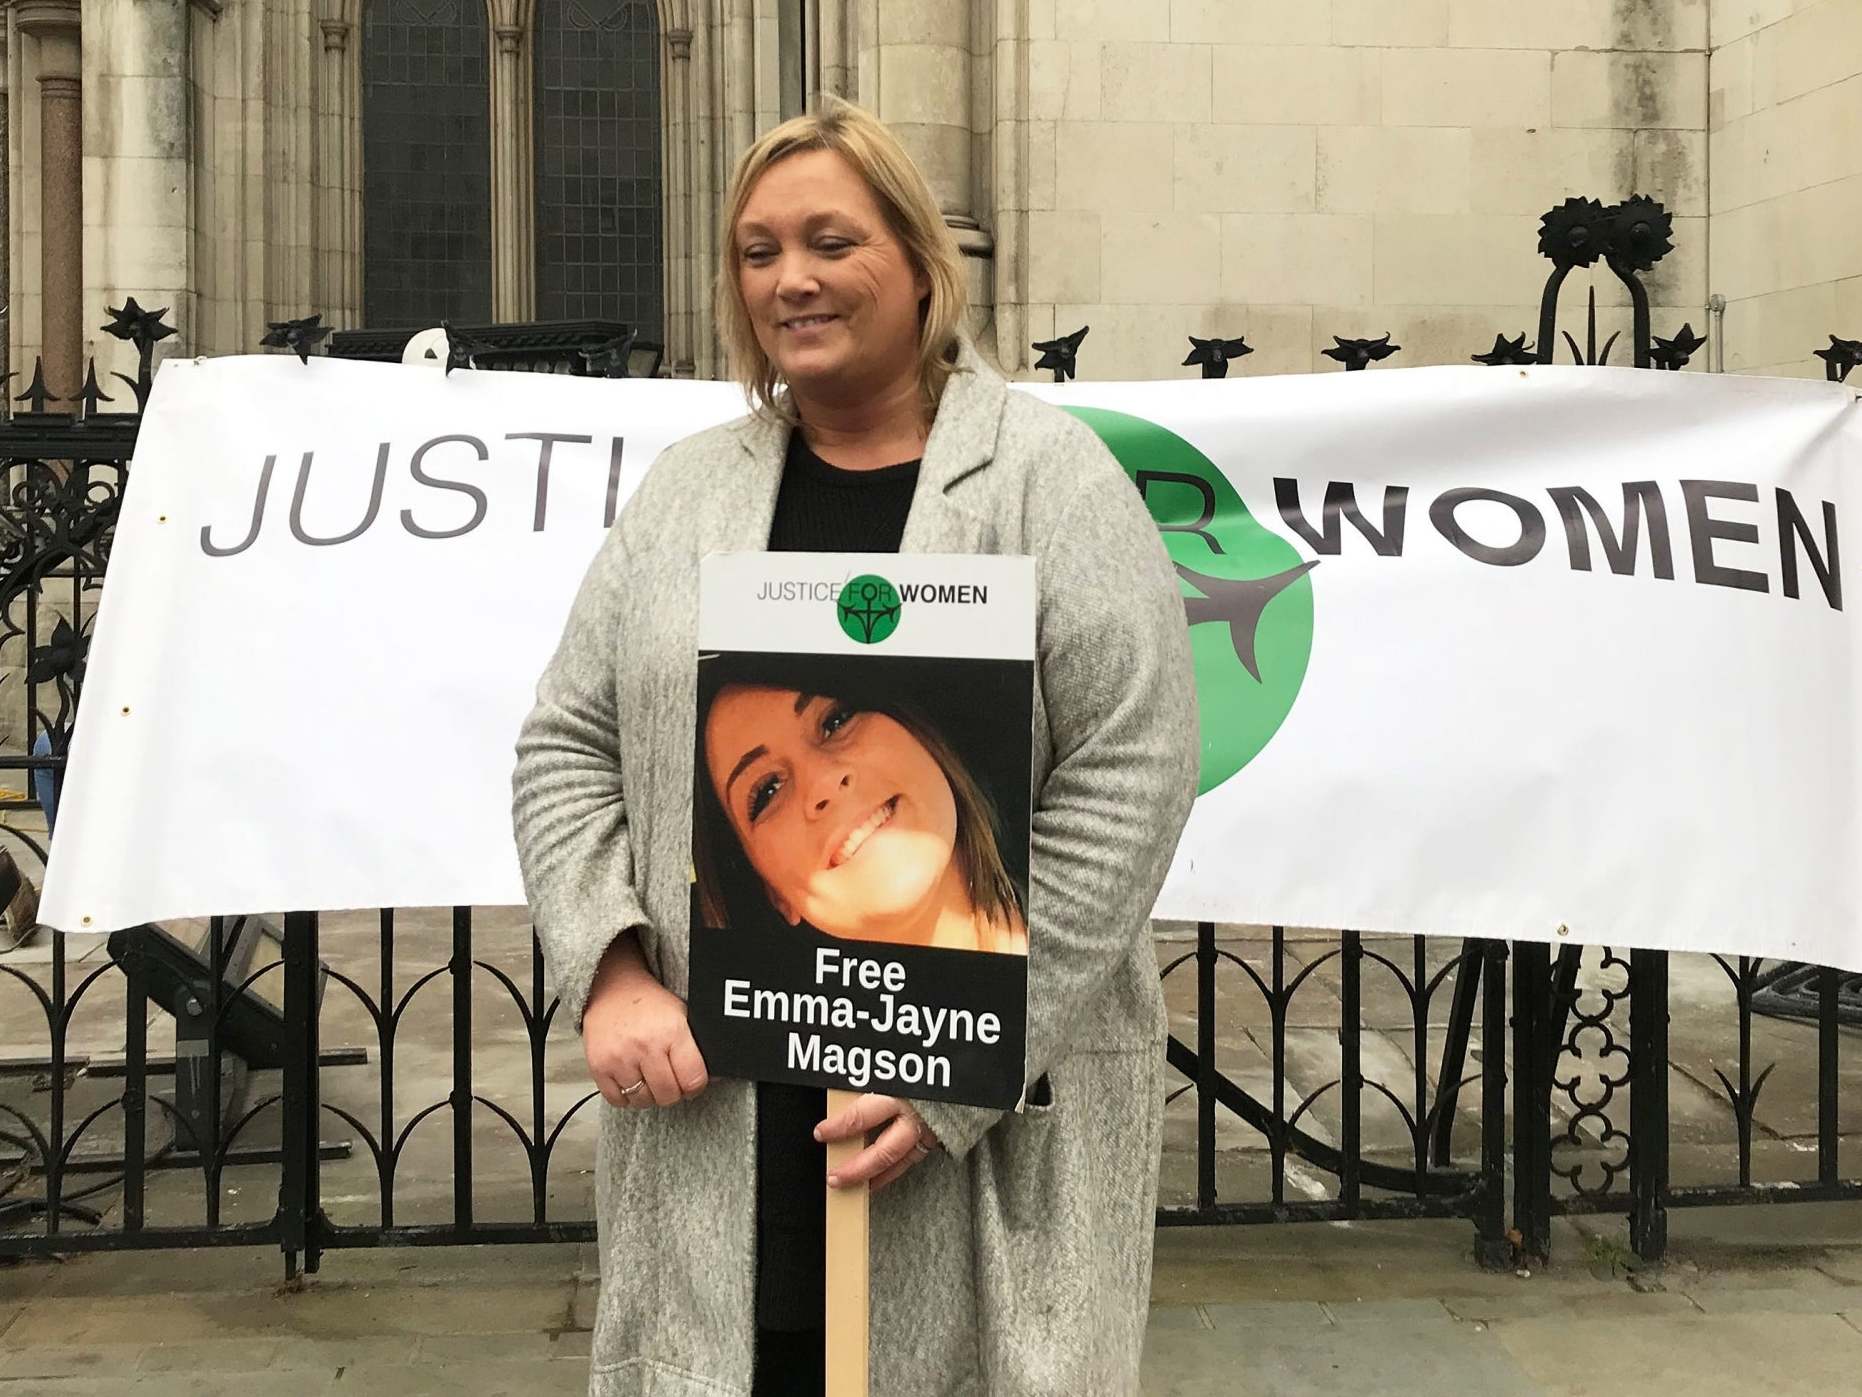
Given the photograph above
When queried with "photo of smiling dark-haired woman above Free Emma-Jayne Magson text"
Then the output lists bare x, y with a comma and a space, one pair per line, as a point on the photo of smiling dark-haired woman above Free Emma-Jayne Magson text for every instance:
861, 813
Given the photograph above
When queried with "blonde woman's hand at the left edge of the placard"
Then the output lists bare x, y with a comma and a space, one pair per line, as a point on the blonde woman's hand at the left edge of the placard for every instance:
636, 1037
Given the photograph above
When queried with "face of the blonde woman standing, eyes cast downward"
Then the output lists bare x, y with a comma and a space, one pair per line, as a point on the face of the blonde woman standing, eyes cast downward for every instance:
828, 286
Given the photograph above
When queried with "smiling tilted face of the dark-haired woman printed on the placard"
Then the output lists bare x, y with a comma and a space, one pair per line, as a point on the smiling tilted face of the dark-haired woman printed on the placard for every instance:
844, 815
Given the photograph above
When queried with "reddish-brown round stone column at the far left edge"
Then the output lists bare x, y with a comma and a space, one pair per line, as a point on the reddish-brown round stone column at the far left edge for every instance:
55, 25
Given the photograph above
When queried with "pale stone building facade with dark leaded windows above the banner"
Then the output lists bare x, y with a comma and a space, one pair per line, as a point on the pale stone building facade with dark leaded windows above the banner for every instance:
1286, 170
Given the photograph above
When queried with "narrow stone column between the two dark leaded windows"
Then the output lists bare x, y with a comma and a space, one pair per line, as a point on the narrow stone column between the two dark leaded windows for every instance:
513, 163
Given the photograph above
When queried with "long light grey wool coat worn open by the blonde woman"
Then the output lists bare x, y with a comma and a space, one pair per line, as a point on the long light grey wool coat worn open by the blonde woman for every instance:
1019, 1262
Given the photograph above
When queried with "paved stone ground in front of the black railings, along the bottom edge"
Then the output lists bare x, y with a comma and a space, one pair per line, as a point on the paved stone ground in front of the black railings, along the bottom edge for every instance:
1370, 1310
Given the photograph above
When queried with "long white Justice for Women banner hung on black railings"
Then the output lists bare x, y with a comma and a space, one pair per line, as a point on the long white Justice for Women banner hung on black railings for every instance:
1515, 653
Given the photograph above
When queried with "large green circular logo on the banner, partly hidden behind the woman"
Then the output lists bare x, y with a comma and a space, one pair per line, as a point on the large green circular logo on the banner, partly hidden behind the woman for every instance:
1247, 591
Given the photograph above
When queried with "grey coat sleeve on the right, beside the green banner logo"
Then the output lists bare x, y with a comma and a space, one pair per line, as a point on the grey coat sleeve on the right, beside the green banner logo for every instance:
1120, 694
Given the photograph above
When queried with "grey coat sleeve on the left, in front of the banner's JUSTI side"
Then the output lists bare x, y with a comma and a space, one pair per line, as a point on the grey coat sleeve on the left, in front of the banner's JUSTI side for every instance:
569, 793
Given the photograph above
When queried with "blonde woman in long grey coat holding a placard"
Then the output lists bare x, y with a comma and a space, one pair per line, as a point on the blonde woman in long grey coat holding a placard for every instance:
1012, 1251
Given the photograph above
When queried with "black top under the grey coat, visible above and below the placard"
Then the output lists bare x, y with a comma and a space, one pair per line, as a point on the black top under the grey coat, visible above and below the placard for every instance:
820, 509
